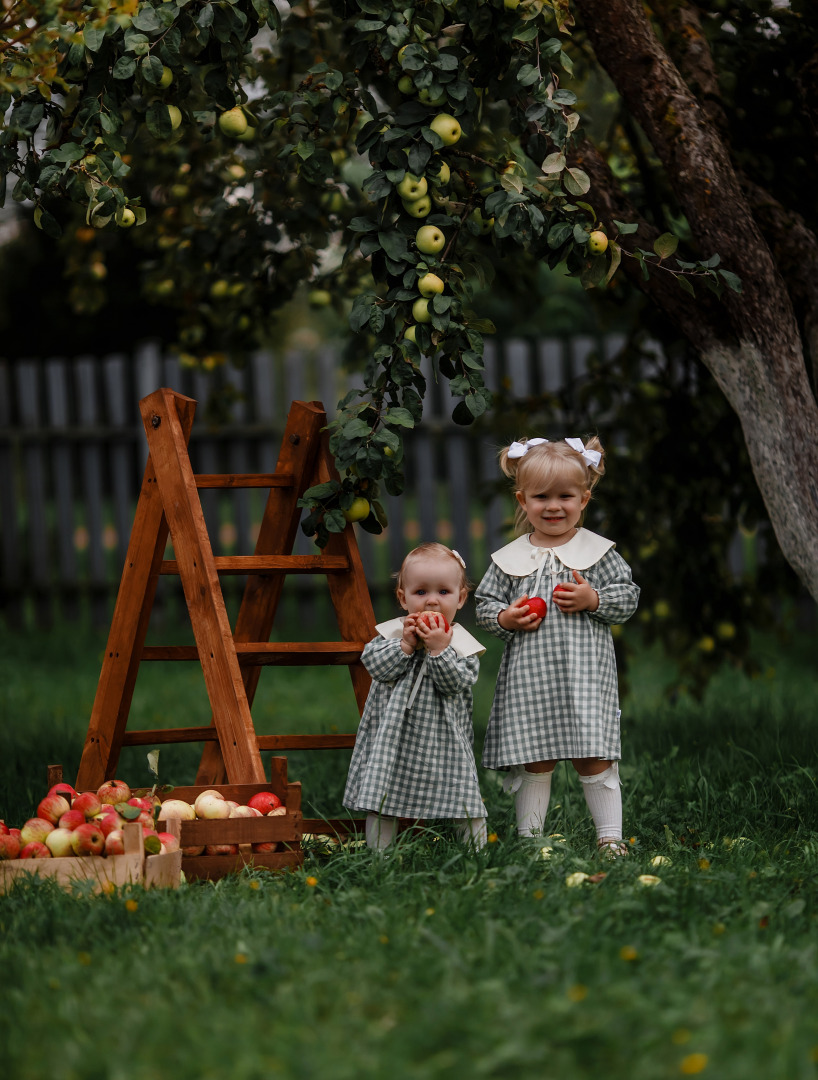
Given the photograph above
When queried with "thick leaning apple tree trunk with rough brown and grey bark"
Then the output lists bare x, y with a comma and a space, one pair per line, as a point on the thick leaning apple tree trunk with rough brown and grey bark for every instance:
757, 355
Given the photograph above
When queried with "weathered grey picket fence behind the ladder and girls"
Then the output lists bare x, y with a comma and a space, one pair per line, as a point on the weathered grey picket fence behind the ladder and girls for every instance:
73, 453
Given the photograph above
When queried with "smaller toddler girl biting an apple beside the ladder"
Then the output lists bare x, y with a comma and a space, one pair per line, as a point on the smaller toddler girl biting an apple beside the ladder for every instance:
414, 753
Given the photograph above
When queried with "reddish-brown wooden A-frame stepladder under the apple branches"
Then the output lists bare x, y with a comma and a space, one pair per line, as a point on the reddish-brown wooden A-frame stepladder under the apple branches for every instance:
232, 661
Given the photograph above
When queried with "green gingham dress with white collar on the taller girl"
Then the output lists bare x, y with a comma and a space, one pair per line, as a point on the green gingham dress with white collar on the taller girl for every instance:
557, 693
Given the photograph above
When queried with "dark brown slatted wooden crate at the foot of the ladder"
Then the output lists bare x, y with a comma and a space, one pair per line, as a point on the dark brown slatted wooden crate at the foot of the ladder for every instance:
286, 830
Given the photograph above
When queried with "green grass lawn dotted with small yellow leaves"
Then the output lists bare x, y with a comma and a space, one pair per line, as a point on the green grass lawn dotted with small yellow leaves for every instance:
435, 963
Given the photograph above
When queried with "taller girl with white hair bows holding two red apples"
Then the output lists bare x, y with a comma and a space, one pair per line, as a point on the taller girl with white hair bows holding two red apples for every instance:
557, 694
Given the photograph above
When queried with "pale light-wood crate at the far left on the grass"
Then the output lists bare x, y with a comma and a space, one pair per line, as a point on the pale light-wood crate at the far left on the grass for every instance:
106, 872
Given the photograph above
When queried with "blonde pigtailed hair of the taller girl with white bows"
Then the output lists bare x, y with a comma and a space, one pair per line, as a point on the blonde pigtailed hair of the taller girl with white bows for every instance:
547, 463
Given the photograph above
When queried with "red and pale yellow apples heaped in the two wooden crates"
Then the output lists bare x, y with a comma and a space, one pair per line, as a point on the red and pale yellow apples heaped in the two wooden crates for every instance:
90, 823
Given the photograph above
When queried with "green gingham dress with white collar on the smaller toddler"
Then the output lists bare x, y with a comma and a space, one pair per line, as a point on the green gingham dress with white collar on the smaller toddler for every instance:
419, 762
